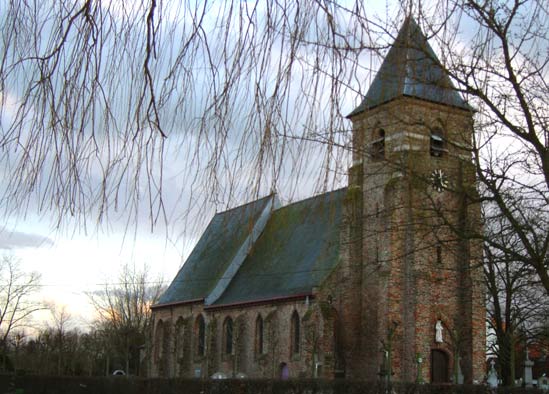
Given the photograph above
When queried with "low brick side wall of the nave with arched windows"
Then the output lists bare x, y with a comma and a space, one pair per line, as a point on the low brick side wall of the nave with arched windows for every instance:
181, 358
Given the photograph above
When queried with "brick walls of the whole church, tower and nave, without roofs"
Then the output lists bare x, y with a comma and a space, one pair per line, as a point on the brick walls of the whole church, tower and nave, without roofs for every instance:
408, 259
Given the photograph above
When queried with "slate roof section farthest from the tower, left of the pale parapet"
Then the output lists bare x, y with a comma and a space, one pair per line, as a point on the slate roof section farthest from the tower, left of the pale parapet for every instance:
214, 252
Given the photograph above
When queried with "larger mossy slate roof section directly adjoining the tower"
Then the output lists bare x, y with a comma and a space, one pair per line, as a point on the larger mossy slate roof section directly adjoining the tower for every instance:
297, 250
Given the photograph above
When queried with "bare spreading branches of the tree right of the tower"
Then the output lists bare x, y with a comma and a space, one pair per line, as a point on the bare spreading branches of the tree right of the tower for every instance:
503, 71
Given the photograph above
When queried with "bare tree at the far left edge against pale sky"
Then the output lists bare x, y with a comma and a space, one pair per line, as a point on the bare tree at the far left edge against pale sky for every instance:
17, 289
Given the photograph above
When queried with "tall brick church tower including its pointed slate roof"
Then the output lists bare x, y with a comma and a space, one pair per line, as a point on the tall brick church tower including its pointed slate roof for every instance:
415, 260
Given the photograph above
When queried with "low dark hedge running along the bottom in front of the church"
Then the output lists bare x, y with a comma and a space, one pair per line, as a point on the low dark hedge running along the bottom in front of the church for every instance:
30, 384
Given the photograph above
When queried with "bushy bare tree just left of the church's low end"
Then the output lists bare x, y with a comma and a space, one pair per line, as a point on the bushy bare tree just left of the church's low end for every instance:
125, 315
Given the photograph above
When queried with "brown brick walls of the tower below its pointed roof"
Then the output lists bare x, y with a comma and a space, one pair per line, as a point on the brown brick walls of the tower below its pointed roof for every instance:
407, 284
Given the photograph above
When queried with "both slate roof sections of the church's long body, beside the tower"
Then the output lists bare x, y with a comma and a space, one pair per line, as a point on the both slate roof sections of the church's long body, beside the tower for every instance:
296, 250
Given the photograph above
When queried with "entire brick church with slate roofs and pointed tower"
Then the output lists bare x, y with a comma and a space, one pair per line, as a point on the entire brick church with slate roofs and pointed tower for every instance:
378, 280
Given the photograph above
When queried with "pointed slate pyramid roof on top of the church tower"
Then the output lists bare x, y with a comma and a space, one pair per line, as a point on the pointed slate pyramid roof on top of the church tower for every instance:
411, 68
